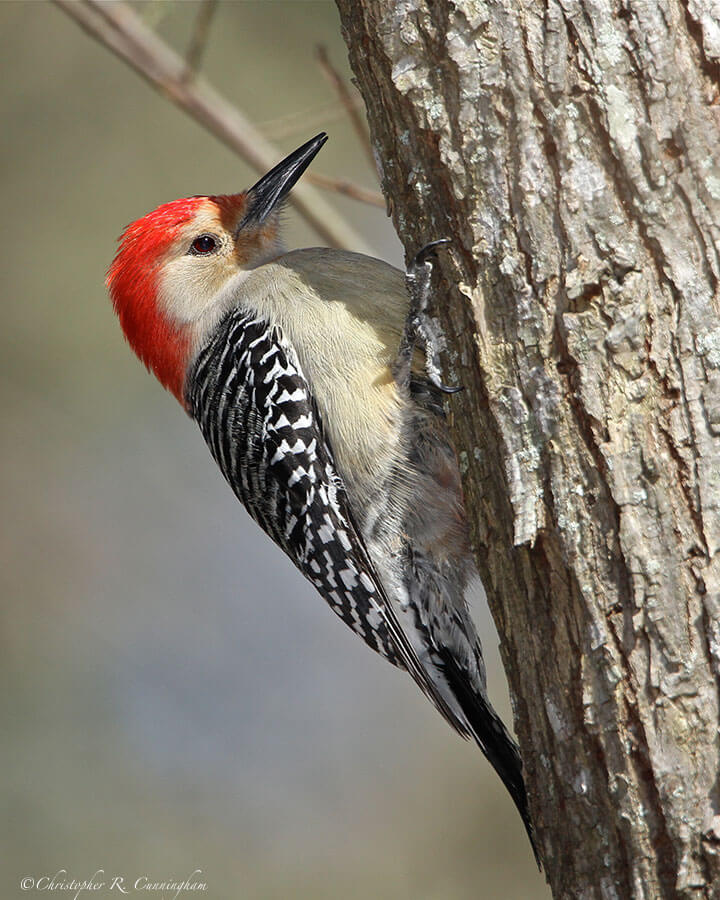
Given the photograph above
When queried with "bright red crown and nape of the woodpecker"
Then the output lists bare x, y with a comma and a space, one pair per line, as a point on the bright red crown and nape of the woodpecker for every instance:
132, 280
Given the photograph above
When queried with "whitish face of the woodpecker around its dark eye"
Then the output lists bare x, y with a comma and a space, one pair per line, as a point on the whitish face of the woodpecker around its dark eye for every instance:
204, 258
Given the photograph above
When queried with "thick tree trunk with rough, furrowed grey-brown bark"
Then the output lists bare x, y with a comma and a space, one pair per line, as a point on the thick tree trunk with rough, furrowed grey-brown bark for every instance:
569, 150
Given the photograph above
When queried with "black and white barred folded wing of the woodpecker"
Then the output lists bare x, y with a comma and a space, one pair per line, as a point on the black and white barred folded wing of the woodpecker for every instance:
255, 409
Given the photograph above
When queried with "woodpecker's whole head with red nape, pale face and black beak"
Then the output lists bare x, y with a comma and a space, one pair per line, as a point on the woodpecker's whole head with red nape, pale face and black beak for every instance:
173, 266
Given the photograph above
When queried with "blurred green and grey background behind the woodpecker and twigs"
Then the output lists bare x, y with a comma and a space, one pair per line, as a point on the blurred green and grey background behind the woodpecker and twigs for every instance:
175, 696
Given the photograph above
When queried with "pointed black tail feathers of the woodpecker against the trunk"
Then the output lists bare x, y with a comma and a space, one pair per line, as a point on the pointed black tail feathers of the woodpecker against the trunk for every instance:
493, 739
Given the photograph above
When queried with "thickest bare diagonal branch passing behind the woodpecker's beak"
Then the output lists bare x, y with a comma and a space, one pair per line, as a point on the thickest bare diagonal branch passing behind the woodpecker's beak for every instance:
120, 29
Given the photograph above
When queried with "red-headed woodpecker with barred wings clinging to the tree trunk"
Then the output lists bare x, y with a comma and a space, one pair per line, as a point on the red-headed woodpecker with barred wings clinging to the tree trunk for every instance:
313, 375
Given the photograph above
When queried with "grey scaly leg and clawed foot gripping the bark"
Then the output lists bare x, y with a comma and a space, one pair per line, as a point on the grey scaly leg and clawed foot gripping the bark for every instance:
419, 327
